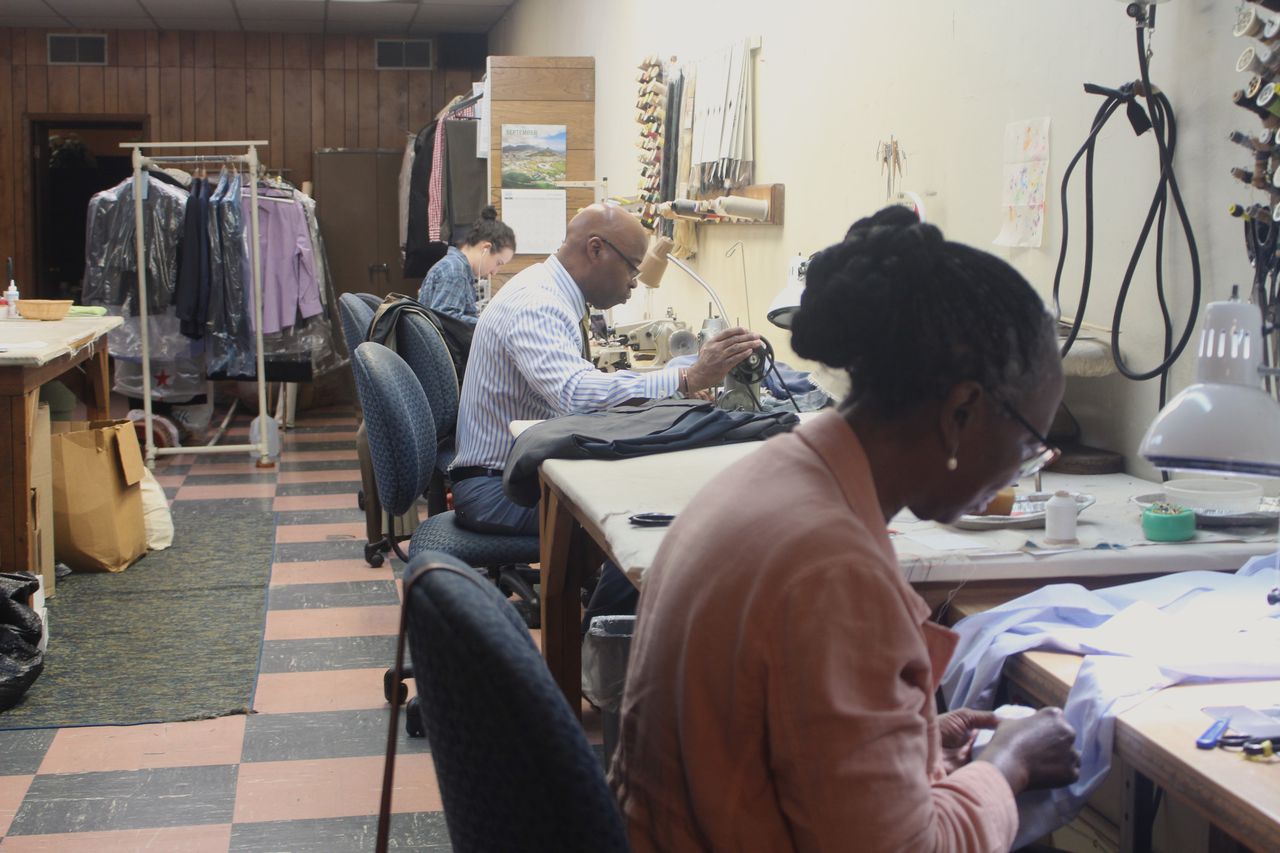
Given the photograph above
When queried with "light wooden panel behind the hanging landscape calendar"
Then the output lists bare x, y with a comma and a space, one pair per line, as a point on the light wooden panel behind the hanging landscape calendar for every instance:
543, 90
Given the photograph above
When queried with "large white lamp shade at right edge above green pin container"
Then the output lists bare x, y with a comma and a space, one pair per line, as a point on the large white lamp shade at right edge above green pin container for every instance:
1220, 428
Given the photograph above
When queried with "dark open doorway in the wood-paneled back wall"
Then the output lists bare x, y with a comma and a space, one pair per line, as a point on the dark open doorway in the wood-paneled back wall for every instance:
75, 158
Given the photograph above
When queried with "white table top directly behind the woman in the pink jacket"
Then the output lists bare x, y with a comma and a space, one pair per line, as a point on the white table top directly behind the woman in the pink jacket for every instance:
1112, 544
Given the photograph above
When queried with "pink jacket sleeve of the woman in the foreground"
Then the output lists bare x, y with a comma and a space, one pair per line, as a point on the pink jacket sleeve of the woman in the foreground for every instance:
854, 742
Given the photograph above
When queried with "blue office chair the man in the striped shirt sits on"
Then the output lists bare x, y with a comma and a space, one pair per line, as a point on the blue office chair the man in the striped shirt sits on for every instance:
403, 448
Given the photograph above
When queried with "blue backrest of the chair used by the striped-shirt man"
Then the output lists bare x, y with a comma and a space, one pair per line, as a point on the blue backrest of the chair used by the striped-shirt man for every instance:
399, 426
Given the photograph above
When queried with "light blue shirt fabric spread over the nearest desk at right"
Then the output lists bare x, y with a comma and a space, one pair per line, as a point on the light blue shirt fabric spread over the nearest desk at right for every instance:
1136, 640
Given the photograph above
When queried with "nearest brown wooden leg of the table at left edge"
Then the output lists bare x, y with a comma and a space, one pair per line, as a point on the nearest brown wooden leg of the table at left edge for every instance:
17, 540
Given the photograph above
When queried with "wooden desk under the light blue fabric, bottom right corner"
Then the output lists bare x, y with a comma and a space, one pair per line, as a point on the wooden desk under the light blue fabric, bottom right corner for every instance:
1155, 745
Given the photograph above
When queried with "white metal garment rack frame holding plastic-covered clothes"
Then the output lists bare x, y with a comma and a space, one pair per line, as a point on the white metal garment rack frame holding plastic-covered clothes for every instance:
140, 165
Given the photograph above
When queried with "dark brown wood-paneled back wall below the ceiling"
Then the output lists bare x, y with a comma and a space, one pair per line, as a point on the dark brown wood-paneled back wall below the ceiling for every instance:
301, 93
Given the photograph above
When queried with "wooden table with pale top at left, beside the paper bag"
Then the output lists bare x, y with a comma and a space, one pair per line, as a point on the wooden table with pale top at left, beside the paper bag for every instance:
75, 352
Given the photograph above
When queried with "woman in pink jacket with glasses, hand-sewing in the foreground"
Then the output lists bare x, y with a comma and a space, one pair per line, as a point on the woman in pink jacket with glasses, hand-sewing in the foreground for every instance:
781, 687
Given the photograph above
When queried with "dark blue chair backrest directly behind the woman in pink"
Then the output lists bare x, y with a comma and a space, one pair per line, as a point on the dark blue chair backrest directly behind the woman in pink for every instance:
514, 767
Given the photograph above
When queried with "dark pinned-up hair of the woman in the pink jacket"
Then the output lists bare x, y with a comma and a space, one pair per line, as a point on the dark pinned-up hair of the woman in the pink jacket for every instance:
909, 316
